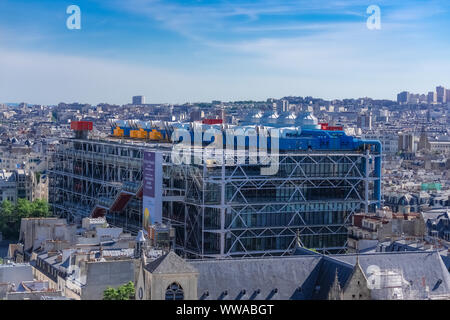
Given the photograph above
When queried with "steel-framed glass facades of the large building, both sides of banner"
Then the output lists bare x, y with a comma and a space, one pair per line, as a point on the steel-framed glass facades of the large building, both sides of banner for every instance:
220, 209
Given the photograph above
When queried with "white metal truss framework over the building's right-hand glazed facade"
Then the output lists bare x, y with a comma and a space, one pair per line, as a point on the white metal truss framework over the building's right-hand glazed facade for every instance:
349, 172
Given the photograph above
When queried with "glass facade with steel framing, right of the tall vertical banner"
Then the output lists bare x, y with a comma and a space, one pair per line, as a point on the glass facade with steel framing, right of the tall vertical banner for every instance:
234, 211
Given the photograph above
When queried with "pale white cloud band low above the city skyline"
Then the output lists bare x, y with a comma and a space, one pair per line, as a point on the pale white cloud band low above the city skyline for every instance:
49, 79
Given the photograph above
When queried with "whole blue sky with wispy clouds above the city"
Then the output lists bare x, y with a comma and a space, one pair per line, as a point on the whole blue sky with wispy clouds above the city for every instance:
186, 51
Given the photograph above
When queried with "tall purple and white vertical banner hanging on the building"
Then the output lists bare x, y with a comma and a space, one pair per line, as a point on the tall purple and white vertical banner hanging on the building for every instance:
152, 193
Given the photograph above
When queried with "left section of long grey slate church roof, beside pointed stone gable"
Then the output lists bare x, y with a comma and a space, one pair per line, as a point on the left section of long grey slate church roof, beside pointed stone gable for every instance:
278, 278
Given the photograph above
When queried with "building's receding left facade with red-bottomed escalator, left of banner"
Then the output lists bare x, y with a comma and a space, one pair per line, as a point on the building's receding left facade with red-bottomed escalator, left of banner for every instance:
93, 178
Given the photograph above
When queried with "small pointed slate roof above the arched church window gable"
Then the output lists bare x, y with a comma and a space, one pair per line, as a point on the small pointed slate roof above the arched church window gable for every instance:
169, 263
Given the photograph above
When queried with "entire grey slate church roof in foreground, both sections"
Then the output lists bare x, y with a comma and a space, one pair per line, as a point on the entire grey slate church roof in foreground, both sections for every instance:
308, 276
